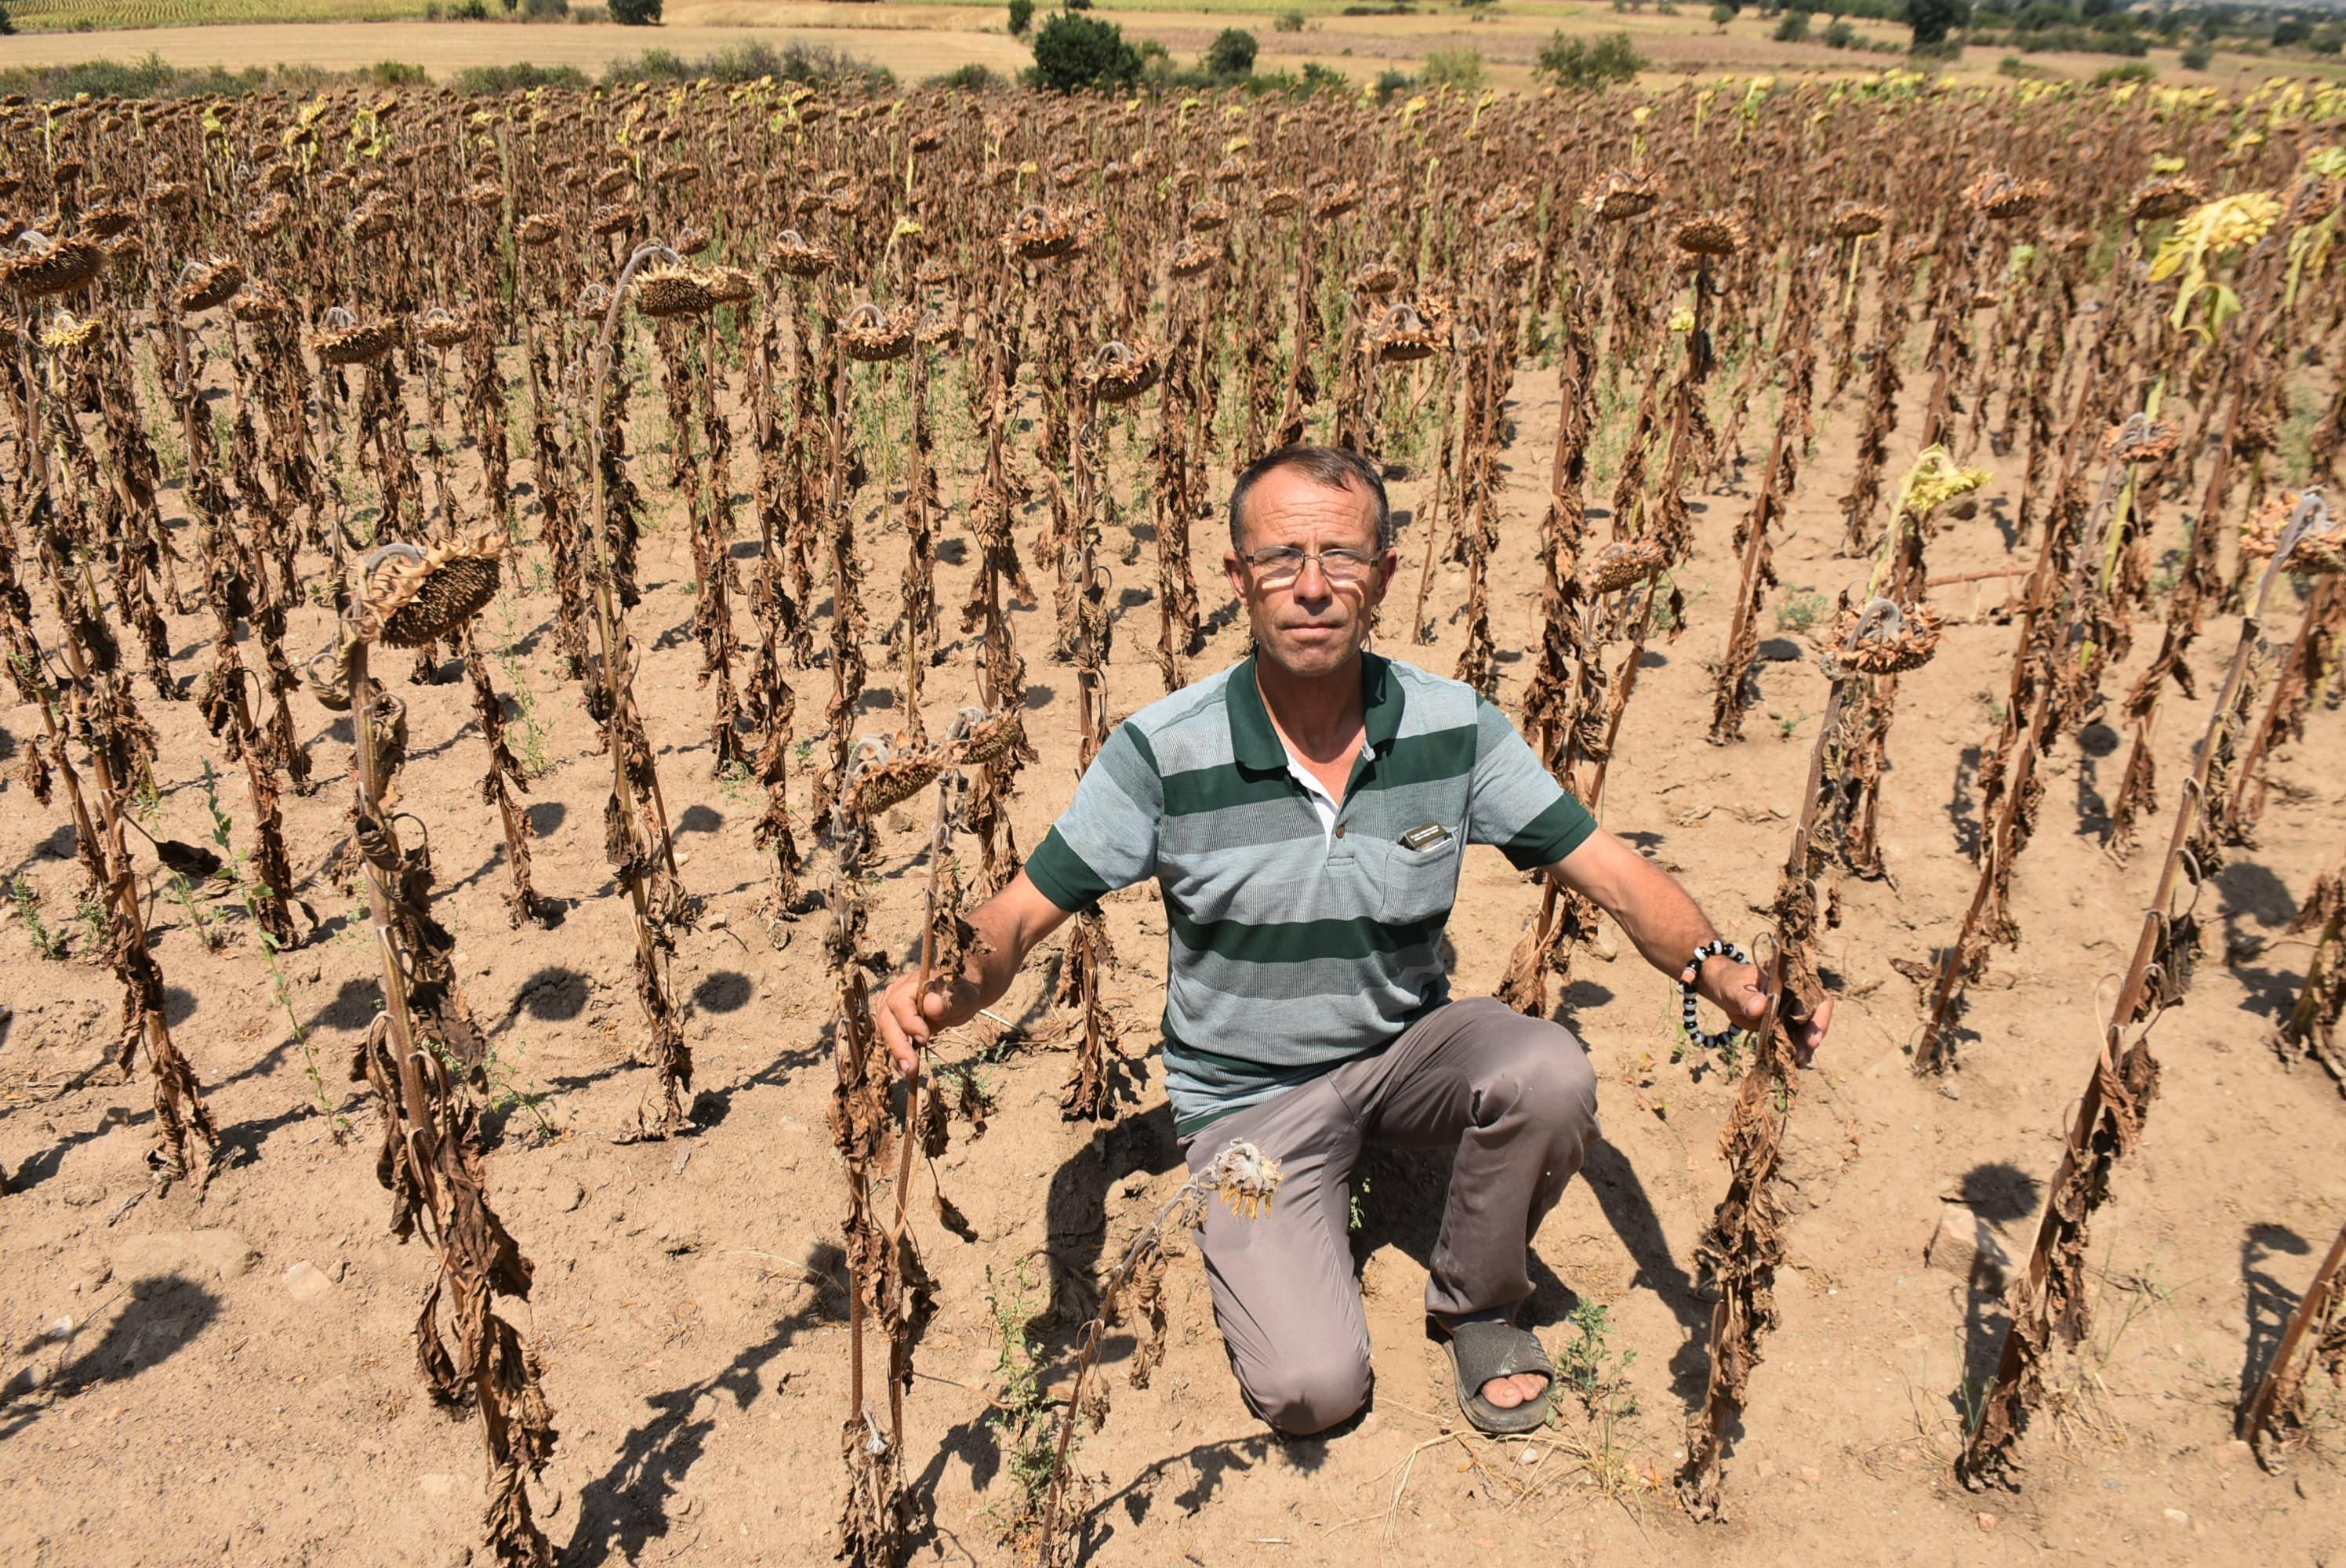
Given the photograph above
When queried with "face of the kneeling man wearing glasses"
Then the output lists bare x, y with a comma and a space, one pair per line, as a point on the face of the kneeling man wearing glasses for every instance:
1313, 623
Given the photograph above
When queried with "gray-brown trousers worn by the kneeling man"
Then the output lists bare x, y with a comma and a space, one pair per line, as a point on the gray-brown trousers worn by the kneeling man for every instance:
1519, 1104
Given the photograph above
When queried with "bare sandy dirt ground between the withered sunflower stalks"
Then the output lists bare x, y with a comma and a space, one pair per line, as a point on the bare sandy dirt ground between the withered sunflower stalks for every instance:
231, 1379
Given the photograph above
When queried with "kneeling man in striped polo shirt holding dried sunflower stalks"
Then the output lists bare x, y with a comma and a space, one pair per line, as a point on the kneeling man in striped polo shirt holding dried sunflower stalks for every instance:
1306, 816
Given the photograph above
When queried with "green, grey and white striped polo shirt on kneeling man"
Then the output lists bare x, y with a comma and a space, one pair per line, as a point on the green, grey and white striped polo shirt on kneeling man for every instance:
1299, 947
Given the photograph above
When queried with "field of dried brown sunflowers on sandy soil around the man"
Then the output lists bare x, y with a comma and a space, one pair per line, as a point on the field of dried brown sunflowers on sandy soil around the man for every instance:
524, 614
